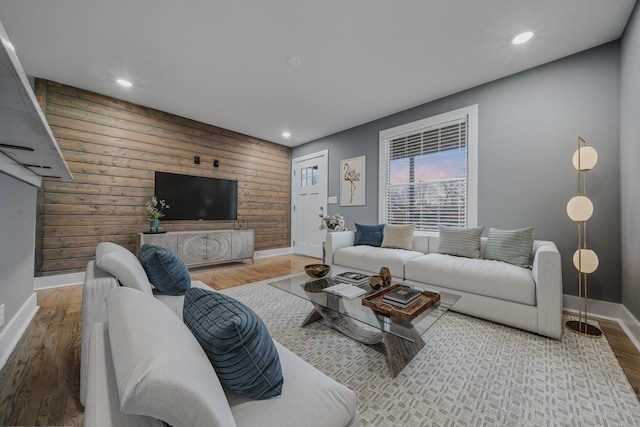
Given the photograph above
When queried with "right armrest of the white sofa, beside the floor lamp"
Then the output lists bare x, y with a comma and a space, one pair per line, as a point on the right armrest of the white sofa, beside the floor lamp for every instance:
547, 274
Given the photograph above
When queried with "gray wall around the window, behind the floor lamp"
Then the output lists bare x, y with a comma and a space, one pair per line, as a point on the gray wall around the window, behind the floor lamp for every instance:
528, 131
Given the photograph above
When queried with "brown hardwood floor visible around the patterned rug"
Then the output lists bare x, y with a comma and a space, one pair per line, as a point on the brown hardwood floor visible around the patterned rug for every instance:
40, 383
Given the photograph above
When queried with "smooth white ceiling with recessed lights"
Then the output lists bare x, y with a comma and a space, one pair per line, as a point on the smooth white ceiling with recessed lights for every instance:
224, 62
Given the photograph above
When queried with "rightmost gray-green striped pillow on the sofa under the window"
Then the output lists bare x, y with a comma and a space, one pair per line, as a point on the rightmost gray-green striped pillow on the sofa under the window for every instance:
512, 246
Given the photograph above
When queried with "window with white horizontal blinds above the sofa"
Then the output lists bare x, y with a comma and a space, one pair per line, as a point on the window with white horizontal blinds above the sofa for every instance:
426, 176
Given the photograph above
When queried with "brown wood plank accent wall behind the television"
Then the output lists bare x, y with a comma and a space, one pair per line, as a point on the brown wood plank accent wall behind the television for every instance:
113, 149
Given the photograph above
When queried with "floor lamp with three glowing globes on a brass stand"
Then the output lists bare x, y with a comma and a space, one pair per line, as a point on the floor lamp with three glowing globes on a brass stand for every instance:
585, 260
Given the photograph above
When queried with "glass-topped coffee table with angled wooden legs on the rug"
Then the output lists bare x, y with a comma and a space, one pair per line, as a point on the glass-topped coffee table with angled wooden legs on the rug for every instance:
402, 338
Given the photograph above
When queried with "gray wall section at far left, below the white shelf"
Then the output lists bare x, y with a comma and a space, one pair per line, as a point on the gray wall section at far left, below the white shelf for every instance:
17, 236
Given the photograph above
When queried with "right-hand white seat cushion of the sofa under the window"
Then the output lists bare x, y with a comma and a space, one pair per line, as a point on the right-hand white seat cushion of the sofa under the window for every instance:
494, 279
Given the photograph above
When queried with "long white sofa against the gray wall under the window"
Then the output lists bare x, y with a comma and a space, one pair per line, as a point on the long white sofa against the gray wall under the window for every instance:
525, 298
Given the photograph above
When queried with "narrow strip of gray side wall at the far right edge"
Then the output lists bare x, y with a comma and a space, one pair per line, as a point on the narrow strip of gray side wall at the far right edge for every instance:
630, 163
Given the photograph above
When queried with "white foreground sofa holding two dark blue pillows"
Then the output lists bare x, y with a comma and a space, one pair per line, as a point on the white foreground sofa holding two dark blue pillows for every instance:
167, 372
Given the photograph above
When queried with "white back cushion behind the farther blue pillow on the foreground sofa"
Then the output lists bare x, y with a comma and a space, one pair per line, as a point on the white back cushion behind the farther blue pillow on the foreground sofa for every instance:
123, 265
